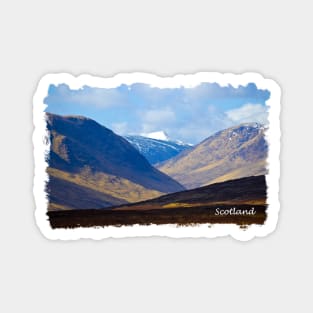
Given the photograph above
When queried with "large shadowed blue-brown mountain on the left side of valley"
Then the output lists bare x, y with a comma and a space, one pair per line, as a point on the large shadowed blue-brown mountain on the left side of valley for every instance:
92, 167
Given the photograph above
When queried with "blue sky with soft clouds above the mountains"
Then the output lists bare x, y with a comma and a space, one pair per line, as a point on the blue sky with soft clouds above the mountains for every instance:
186, 114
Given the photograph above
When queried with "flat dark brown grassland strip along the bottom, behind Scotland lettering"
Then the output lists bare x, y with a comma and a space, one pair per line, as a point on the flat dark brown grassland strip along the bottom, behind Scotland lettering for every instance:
179, 216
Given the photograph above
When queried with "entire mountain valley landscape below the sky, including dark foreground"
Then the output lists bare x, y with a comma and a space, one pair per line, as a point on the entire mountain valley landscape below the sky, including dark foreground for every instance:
98, 178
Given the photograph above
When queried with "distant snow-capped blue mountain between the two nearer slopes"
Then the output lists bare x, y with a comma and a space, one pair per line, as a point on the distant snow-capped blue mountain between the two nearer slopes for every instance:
157, 150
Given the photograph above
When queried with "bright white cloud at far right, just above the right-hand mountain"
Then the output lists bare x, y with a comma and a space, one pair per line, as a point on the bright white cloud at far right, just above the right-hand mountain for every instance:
249, 113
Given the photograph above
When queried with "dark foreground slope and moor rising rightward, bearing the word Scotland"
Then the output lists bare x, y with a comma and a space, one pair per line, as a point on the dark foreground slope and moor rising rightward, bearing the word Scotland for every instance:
241, 201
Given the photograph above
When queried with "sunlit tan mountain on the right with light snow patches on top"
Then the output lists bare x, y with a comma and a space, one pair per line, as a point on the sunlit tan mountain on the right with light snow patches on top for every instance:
236, 152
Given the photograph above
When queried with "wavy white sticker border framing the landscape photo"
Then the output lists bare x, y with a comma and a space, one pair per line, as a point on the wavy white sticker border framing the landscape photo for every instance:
42, 148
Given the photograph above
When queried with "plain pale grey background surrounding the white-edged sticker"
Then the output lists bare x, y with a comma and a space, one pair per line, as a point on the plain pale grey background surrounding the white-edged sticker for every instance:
272, 274
